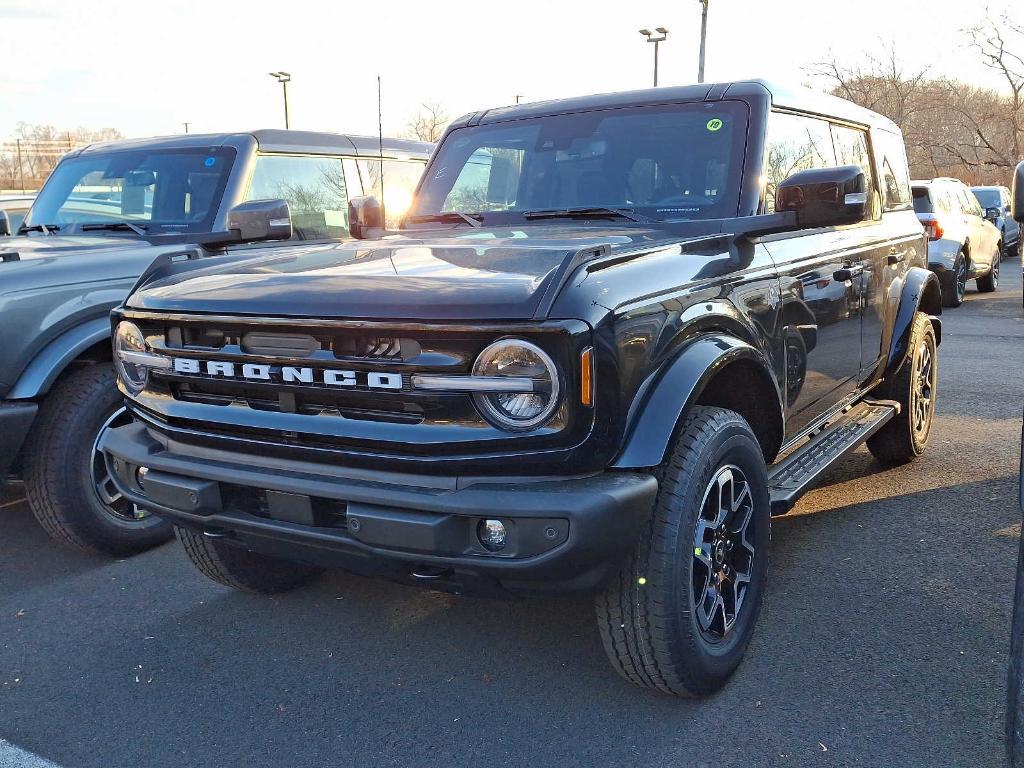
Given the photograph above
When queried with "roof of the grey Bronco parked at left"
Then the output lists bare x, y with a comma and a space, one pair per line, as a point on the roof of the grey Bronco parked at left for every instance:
274, 140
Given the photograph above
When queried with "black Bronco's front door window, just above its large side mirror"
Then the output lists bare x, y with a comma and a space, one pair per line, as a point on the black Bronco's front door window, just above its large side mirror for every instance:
794, 144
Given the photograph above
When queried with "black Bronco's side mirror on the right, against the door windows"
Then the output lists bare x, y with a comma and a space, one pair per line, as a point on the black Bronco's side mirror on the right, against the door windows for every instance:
825, 197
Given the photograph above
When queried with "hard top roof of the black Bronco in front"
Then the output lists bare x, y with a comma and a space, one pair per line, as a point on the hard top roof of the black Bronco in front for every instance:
800, 99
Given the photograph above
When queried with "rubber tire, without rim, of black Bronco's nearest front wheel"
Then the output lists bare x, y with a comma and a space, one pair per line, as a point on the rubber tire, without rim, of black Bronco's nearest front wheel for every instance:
647, 614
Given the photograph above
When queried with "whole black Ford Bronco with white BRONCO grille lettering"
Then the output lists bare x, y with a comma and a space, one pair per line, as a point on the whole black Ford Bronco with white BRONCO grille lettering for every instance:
612, 337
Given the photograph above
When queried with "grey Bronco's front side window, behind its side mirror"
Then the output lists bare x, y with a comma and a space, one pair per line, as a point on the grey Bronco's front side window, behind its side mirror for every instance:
315, 189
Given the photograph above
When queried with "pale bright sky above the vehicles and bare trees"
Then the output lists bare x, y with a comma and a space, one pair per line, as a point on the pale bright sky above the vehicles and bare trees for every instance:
146, 67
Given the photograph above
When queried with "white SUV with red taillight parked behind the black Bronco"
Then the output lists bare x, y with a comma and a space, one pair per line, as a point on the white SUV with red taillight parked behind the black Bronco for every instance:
962, 244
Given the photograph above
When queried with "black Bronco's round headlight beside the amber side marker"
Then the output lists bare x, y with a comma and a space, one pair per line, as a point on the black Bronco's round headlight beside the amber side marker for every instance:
518, 411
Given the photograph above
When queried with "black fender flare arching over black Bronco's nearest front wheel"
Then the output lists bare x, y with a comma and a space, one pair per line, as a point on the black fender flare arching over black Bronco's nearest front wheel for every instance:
664, 398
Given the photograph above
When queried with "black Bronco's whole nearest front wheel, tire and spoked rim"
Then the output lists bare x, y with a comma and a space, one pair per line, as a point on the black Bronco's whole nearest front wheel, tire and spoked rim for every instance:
681, 611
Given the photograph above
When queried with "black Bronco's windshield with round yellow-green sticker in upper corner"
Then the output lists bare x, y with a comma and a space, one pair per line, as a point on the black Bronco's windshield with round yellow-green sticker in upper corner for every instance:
667, 162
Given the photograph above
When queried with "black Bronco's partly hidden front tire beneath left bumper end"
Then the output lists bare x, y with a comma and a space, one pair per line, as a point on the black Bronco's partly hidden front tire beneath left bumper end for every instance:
241, 570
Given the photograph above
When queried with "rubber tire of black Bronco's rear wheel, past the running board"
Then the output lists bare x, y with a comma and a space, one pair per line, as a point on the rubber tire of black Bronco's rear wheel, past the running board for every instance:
902, 441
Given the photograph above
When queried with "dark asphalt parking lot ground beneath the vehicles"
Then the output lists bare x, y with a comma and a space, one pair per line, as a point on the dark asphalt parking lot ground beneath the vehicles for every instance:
883, 642
